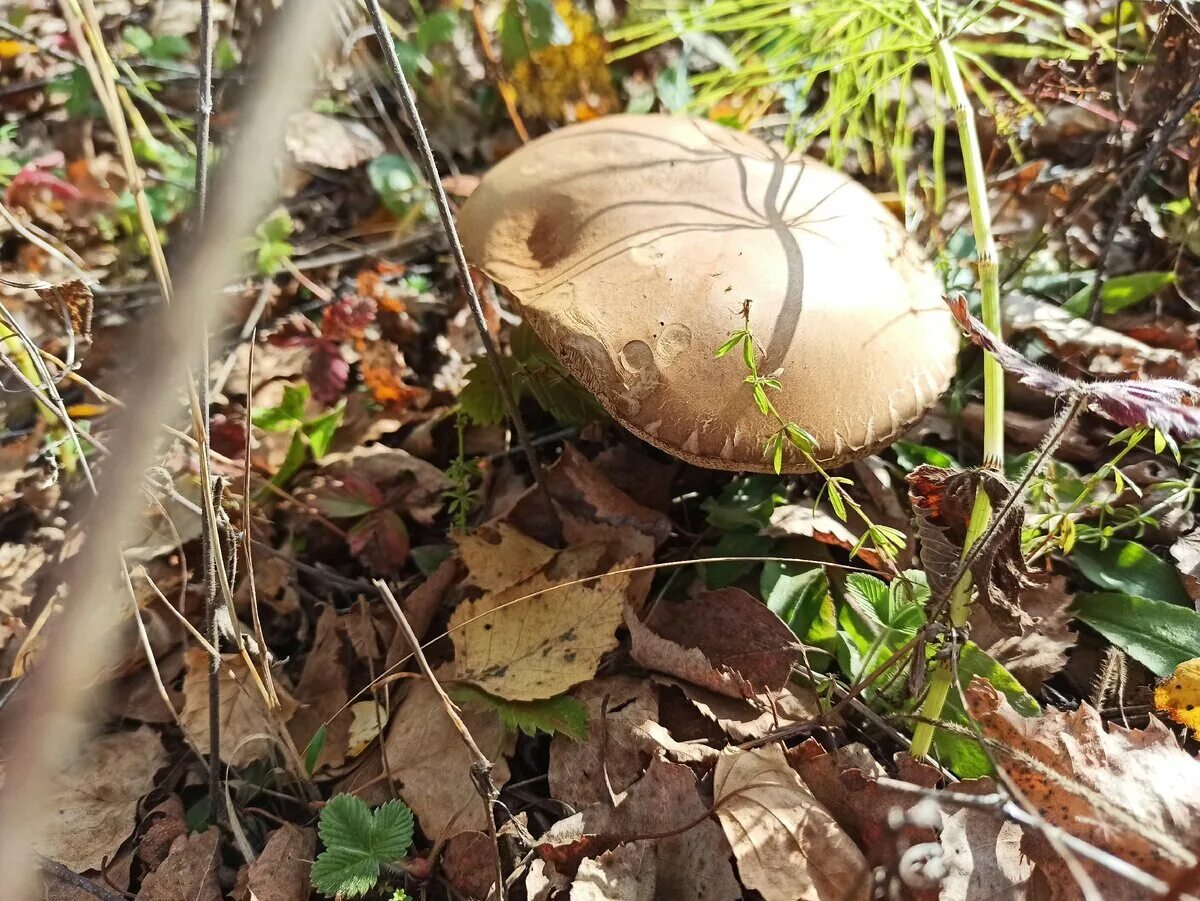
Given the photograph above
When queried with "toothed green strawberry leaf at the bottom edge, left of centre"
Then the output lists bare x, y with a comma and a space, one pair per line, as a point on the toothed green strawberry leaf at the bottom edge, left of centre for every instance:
358, 843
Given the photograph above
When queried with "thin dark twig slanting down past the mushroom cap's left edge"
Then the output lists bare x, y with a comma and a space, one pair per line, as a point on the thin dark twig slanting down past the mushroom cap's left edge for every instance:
469, 286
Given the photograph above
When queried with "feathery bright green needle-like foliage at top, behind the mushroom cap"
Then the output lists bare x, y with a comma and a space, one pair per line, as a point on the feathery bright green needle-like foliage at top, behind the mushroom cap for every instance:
845, 68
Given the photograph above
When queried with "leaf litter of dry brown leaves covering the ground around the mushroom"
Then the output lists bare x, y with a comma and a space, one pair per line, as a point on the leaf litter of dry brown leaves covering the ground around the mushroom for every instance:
652, 736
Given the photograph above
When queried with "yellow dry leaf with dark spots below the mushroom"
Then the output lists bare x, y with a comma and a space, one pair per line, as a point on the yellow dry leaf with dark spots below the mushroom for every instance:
541, 646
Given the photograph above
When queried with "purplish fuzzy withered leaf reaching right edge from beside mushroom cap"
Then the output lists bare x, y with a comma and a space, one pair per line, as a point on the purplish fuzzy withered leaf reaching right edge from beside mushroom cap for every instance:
1166, 405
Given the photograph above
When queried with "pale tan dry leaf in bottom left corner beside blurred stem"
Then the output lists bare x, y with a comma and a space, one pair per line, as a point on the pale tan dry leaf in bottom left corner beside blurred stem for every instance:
97, 798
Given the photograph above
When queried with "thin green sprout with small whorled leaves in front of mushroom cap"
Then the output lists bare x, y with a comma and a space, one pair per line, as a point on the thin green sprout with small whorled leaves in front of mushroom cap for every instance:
885, 540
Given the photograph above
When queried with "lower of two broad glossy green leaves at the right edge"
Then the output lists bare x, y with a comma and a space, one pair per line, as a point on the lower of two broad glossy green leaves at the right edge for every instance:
1157, 635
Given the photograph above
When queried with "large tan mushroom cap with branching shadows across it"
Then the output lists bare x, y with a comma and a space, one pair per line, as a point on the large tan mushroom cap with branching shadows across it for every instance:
632, 244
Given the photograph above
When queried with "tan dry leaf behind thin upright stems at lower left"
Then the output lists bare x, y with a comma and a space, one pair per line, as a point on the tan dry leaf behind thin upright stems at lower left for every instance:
247, 726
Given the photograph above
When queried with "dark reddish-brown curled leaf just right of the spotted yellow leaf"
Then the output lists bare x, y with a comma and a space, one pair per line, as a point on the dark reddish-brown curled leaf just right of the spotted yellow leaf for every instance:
725, 641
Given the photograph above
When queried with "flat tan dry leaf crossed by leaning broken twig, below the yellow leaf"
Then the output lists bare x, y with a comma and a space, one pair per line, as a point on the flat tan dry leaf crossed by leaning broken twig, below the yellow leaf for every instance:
433, 766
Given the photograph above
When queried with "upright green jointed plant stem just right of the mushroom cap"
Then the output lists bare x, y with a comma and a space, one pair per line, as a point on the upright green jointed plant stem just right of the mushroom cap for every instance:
993, 375
